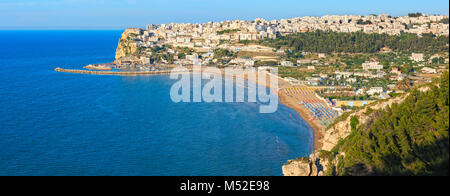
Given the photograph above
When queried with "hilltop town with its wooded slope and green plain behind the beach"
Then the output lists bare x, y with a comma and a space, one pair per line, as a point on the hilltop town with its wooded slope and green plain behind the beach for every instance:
347, 61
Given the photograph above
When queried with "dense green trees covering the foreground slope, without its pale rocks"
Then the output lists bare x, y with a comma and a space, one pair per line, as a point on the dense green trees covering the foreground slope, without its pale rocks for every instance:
410, 138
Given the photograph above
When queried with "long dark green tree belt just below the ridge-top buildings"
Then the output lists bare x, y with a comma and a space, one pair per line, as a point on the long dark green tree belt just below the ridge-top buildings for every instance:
358, 42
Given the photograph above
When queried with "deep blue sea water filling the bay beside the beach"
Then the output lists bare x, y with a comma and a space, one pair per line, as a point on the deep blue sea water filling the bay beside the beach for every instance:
69, 124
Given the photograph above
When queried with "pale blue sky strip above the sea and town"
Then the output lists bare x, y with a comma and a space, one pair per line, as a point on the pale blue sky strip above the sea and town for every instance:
120, 14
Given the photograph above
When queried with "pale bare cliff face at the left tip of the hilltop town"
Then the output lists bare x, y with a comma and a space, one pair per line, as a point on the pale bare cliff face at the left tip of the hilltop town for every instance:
127, 46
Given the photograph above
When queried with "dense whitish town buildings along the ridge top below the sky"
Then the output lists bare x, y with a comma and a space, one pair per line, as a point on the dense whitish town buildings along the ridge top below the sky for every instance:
207, 37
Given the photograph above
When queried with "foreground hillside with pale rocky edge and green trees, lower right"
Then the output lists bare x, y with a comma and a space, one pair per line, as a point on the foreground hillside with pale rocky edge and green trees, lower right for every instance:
407, 135
